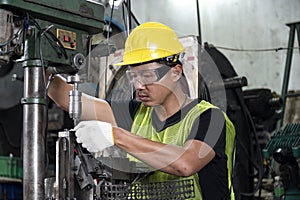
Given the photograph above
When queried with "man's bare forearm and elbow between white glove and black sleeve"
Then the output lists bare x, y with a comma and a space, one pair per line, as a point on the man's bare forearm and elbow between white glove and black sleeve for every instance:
180, 161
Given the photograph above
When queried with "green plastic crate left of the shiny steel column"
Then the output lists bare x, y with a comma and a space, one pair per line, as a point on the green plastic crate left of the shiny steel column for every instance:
11, 167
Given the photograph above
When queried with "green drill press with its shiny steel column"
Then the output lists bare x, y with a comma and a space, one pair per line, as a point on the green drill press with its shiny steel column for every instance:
41, 34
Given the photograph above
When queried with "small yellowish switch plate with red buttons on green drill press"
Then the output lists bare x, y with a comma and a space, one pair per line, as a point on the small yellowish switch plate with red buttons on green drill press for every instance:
67, 38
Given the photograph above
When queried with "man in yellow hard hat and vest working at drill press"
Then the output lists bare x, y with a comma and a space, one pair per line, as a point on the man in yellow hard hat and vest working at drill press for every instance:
182, 138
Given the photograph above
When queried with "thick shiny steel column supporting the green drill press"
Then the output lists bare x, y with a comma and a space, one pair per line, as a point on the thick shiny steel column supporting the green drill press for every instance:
34, 124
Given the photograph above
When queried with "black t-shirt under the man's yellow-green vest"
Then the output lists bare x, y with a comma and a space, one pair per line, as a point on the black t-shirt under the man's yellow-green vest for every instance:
209, 127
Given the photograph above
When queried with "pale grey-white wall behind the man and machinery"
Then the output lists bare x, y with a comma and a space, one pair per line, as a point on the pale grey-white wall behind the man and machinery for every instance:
245, 25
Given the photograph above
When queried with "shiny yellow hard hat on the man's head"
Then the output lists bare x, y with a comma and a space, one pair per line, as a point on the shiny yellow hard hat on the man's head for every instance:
150, 41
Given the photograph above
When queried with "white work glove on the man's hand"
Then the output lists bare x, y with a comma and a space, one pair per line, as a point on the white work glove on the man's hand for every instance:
94, 135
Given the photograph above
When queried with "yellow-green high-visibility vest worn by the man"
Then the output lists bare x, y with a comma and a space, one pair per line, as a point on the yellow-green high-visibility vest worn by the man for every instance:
177, 135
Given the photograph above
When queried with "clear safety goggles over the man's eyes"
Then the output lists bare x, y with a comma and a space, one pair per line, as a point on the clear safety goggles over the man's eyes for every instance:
147, 77
